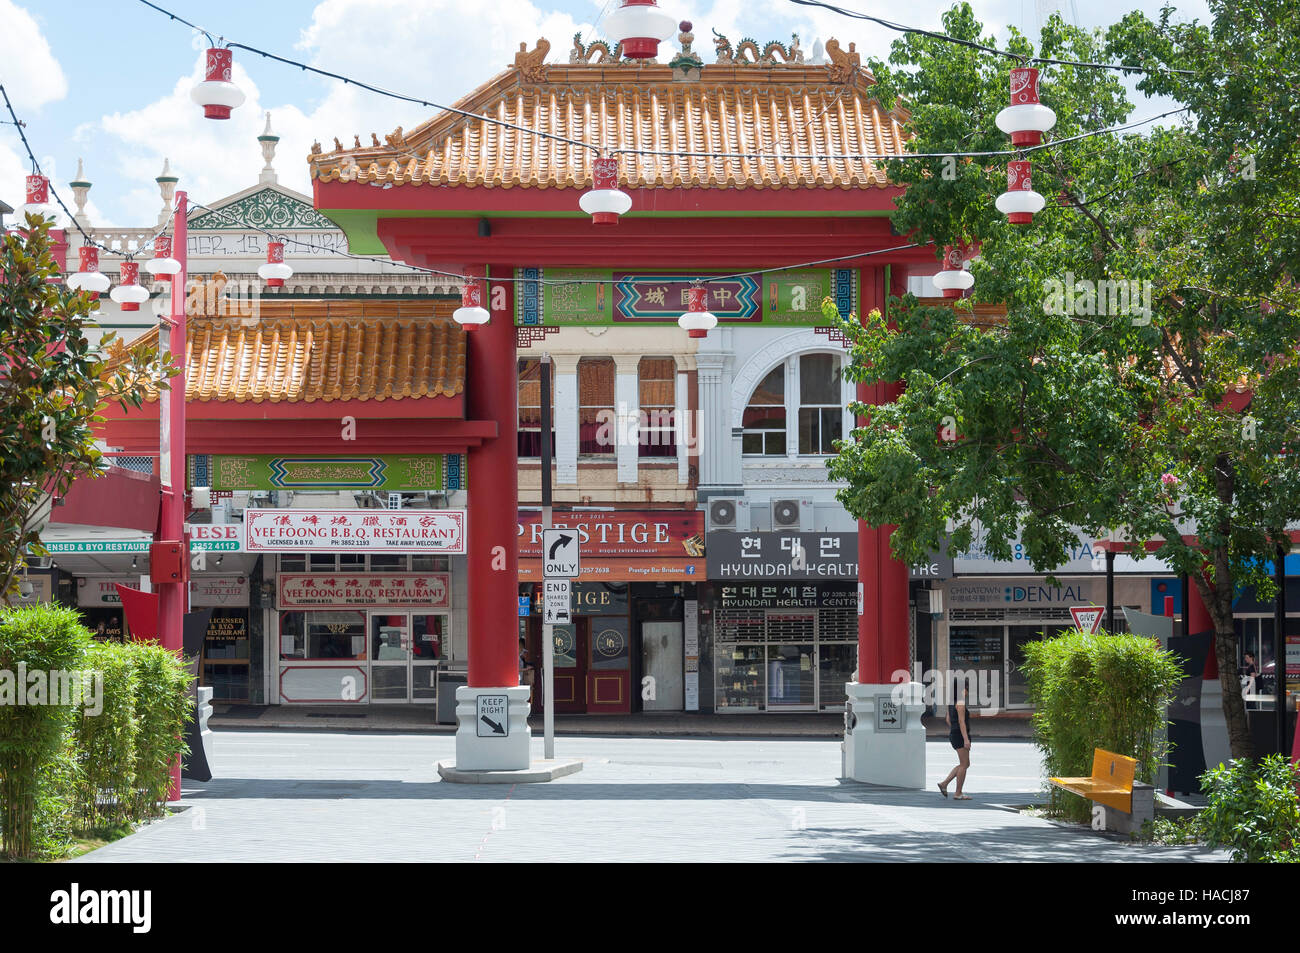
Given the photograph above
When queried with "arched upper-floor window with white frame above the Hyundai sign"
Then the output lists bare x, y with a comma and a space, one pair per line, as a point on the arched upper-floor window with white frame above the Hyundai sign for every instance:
800, 405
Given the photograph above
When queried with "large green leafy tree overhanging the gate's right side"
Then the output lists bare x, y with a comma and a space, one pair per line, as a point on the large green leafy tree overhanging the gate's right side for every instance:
1165, 411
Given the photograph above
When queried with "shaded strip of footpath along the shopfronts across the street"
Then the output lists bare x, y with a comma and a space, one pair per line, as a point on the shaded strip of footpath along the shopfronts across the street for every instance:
411, 720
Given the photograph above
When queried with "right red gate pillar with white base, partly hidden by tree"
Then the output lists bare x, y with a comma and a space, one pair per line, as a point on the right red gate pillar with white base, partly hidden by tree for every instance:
885, 740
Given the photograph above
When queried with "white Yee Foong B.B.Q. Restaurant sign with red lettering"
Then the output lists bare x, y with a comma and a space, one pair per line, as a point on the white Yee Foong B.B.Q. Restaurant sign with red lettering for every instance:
356, 531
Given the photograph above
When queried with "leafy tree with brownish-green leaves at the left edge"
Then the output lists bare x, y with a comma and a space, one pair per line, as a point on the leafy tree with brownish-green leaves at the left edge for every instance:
54, 384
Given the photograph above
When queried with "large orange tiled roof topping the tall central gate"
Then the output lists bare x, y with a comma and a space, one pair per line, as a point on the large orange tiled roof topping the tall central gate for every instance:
775, 110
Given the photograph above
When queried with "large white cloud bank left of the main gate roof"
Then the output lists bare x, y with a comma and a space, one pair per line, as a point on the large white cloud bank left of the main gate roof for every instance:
436, 51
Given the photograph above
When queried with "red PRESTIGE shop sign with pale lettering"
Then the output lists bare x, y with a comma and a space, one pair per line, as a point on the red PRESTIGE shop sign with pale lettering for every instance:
622, 545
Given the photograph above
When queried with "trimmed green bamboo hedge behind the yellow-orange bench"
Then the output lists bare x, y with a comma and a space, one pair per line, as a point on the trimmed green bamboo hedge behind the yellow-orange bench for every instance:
1099, 691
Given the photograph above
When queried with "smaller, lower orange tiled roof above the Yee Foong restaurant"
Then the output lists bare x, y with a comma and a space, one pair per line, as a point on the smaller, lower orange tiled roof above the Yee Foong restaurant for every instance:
318, 356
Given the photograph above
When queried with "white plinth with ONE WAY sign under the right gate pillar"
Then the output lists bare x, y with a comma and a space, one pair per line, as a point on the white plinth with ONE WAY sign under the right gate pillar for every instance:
892, 757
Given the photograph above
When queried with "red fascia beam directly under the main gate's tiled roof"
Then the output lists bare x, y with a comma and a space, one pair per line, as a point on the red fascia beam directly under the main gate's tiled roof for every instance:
487, 202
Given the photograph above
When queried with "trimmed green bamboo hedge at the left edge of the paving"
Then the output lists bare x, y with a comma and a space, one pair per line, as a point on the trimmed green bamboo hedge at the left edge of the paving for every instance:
102, 751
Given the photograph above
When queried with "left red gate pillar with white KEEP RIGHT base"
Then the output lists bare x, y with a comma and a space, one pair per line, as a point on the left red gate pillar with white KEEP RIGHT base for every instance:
492, 711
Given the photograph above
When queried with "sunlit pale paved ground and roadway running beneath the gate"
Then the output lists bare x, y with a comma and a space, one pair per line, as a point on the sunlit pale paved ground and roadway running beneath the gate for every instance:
350, 796
